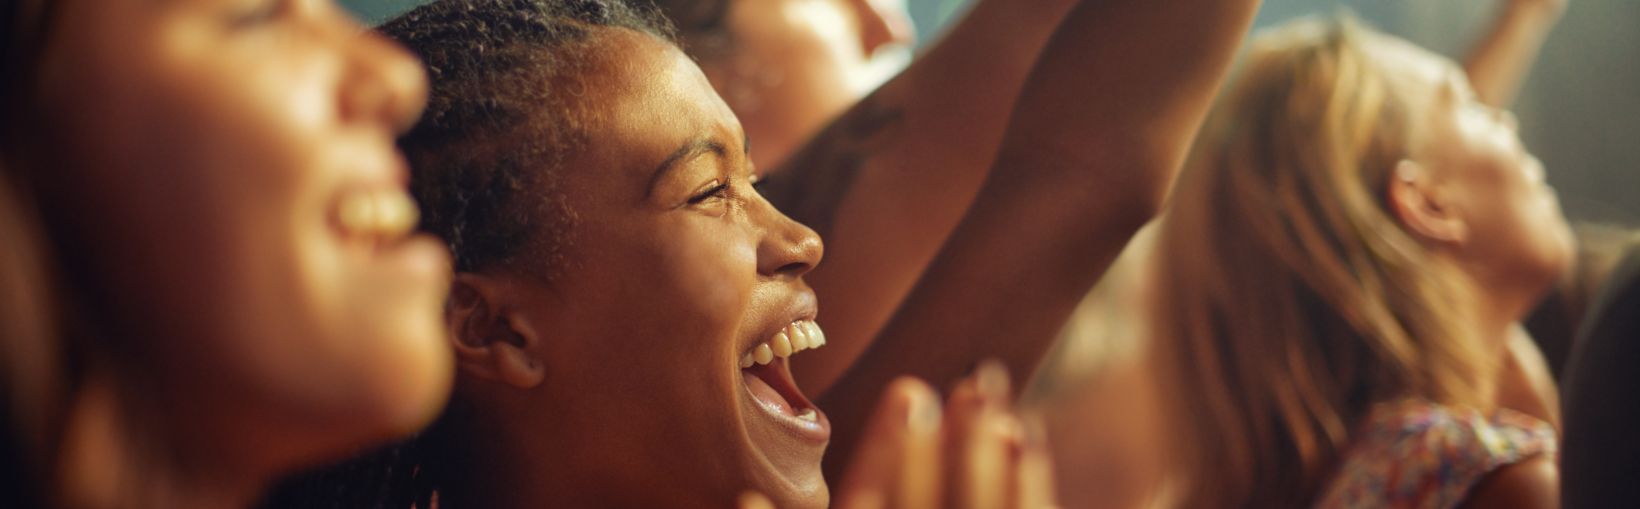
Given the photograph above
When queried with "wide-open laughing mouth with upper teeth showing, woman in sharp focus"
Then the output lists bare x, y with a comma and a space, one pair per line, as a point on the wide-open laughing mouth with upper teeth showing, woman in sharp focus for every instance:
768, 378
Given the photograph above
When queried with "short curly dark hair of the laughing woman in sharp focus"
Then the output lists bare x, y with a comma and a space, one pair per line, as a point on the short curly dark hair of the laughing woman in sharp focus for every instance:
501, 117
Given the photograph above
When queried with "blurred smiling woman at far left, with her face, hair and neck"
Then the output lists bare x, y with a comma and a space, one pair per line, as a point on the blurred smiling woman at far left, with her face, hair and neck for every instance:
209, 270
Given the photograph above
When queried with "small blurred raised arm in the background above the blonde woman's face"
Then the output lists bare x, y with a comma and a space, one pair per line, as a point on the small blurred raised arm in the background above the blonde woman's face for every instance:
1501, 62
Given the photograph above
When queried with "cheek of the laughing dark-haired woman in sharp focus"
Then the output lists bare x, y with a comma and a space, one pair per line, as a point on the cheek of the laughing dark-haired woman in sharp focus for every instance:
676, 285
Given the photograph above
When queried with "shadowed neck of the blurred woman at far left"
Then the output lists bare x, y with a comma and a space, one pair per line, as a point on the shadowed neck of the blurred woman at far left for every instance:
116, 457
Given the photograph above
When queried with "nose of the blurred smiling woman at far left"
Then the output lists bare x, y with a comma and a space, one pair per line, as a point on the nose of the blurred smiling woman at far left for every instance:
383, 85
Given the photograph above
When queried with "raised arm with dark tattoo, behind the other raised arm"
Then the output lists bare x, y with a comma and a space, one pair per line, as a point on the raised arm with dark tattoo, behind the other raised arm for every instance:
888, 181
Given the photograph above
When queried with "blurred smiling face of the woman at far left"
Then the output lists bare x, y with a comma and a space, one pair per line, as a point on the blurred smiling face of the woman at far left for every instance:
225, 173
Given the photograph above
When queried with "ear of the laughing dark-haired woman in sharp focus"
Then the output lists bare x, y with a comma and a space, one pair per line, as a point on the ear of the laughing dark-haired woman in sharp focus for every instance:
491, 339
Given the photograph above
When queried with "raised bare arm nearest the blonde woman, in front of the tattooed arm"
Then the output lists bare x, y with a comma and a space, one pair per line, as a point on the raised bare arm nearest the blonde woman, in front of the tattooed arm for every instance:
1105, 122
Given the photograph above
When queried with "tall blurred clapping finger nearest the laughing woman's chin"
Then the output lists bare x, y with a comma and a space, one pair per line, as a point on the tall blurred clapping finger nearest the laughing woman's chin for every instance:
895, 447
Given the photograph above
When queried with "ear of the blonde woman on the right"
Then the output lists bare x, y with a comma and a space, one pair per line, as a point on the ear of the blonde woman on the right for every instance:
1421, 209
